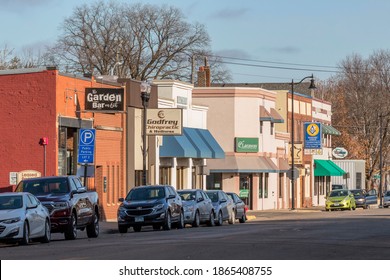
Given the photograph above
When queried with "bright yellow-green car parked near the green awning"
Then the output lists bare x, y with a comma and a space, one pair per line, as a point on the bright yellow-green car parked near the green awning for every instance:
340, 200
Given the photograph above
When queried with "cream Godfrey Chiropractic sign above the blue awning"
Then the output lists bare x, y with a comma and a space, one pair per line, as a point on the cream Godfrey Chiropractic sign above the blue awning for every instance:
164, 121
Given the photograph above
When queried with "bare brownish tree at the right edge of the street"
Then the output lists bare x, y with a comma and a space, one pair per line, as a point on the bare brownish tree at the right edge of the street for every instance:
361, 98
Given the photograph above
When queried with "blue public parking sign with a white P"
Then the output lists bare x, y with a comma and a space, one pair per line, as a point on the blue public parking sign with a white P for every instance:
86, 149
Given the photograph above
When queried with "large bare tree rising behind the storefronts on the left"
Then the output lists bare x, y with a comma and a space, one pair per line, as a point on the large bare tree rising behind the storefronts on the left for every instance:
137, 41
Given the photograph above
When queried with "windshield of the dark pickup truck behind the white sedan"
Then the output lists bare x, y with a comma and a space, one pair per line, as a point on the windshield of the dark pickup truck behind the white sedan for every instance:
44, 187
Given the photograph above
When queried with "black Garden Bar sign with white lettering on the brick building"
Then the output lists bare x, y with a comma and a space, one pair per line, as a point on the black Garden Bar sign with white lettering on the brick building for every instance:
104, 99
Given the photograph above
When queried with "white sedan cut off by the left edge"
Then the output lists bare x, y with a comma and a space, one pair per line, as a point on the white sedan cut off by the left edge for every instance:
23, 218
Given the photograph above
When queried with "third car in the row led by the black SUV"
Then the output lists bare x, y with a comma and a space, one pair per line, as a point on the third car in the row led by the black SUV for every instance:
223, 206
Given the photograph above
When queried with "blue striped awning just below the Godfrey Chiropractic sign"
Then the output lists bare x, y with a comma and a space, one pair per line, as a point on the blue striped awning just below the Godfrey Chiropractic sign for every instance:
193, 143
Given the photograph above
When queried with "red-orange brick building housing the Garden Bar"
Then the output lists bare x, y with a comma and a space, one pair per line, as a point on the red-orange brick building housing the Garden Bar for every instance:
43, 103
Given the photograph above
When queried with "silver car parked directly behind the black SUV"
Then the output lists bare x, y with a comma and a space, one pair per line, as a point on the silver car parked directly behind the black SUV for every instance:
198, 208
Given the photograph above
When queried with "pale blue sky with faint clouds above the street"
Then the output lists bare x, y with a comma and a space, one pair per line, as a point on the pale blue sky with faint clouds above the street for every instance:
265, 40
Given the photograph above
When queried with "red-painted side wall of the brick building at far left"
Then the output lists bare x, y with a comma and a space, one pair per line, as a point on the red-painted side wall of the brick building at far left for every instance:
27, 113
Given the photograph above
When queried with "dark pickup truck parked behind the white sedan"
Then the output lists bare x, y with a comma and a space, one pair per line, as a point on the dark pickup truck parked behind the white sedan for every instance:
70, 205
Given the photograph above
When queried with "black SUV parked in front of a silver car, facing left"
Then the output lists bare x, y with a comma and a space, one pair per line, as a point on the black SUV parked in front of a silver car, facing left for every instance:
156, 205
